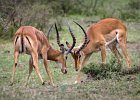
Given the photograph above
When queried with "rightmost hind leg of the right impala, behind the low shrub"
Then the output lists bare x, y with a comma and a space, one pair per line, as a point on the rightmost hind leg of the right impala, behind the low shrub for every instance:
124, 51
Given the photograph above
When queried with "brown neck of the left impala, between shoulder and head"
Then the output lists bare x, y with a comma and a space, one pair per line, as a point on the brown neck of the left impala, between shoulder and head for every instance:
53, 54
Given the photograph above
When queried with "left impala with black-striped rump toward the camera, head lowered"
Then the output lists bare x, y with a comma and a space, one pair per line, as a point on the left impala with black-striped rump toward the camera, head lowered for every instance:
31, 41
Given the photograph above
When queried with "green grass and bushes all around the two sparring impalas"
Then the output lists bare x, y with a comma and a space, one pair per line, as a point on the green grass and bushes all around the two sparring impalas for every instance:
108, 82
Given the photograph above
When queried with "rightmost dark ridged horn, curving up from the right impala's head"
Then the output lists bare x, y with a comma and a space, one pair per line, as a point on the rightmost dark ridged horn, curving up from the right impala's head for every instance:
85, 40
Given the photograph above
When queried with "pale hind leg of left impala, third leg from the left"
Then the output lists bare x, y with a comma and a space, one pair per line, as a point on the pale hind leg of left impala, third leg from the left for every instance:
35, 65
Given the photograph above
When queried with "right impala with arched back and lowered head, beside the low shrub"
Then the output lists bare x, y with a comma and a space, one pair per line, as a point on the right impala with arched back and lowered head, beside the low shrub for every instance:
107, 32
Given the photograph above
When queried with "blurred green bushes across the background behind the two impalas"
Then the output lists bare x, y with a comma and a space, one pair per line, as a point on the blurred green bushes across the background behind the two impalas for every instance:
41, 14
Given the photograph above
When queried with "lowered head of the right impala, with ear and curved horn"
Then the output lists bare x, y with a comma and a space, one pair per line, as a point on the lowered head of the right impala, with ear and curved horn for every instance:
77, 52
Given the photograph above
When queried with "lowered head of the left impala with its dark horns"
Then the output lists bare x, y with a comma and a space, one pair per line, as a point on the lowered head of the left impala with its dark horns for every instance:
64, 52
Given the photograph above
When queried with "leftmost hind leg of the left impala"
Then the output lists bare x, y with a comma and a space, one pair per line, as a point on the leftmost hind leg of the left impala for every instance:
16, 54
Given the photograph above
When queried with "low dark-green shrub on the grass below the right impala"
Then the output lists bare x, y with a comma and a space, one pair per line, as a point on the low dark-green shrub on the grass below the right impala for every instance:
110, 70
